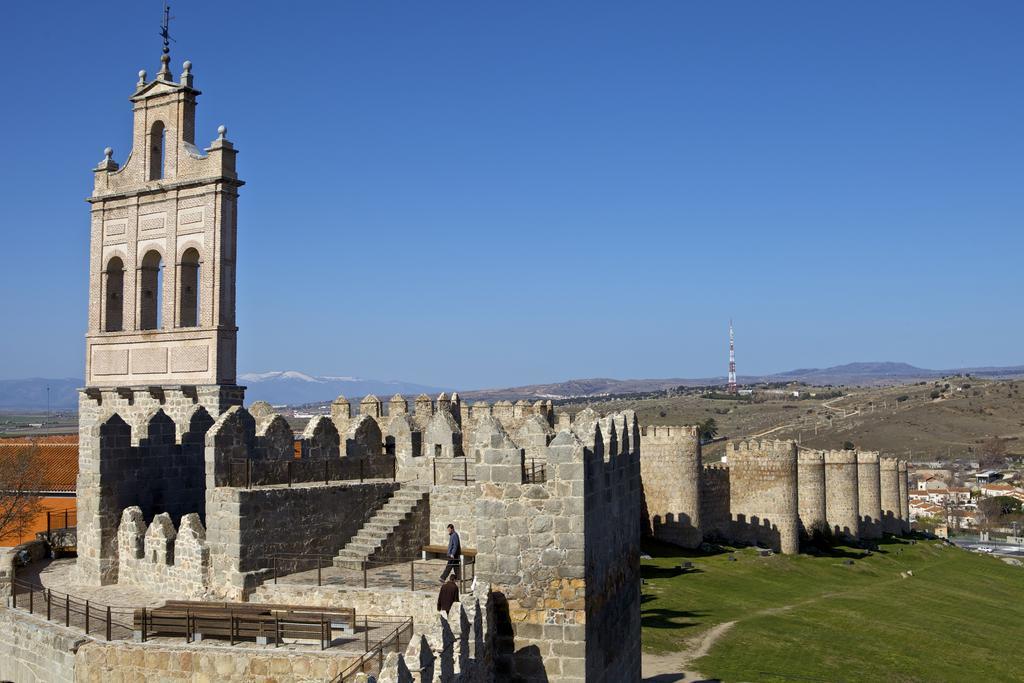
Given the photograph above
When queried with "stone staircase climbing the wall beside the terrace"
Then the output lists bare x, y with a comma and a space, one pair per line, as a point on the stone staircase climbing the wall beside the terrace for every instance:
396, 532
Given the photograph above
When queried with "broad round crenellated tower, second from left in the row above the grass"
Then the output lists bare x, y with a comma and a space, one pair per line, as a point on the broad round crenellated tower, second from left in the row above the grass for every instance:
763, 494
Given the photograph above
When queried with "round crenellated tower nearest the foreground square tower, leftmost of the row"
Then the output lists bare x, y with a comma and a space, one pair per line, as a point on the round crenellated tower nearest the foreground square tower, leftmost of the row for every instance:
671, 468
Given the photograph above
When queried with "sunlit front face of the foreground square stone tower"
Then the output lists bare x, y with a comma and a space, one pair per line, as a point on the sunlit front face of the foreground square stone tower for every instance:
531, 543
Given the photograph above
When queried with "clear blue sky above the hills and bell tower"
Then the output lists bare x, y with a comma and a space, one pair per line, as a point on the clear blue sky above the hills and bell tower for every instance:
473, 195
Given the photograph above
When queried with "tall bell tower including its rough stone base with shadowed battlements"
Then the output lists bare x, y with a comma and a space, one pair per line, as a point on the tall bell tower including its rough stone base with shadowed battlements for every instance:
161, 339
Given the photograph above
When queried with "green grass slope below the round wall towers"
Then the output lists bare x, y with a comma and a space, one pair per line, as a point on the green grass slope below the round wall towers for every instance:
959, 618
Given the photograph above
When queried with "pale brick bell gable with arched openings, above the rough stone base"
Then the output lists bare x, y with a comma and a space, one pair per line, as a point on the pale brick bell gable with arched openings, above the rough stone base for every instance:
162, 250
